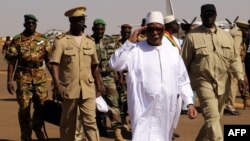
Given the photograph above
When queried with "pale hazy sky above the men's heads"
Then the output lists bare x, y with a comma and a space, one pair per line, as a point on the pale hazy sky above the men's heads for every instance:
50, 13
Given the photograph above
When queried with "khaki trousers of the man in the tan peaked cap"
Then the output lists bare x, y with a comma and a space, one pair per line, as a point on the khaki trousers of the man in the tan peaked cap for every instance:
87, 111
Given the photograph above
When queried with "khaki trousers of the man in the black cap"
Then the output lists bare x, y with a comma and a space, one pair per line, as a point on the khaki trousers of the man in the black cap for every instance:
212, 109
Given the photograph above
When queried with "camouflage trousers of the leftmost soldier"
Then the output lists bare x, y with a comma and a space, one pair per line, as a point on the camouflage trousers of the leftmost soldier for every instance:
26, 94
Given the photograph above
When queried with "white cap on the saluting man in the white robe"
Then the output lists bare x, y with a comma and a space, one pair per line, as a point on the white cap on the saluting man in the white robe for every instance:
154, 17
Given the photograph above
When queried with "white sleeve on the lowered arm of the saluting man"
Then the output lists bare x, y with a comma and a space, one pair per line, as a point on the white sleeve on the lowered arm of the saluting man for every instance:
184, 86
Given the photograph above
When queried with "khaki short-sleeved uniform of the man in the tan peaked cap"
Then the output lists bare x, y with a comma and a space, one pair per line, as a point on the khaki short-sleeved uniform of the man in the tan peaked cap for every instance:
75, 75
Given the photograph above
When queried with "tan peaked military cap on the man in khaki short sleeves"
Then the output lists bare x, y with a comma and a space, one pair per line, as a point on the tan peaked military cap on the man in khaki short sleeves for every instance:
76, 12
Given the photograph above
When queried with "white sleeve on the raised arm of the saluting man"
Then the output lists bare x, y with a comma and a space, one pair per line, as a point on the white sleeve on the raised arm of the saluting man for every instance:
118, 60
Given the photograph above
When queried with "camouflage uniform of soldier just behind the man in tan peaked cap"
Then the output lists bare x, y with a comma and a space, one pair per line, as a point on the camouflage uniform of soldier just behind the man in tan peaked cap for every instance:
104, 51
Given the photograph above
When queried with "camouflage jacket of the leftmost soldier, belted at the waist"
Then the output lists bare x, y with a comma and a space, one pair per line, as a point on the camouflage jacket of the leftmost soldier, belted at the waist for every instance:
28, 55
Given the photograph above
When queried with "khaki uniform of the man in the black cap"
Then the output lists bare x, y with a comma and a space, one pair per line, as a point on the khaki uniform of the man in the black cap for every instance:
209, 55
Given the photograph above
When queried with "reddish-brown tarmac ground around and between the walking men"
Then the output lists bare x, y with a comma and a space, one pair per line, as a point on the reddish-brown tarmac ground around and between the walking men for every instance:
10, 131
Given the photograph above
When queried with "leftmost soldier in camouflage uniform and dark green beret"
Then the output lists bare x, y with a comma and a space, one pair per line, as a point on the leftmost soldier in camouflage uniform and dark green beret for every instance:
25, 56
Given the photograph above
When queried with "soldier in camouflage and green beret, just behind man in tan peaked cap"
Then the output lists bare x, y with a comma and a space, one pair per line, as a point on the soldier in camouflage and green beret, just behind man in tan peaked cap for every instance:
105, 47
